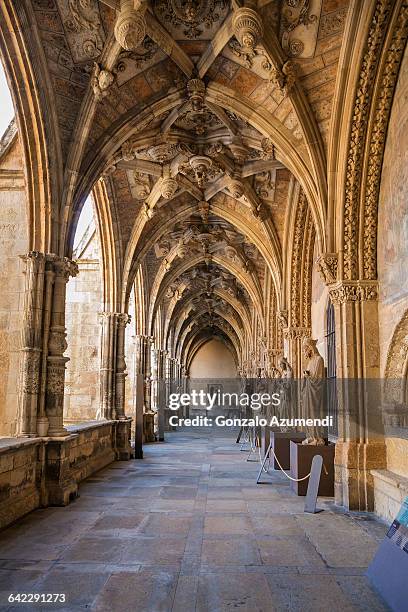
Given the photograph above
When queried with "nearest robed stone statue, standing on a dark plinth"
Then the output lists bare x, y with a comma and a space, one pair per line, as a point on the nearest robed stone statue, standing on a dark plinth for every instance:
312, 390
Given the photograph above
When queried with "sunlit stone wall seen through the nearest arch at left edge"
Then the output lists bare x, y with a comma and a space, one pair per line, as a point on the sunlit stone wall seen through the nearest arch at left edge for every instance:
13, 242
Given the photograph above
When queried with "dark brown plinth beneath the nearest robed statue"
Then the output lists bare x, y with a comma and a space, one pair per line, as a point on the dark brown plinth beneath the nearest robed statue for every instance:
301, 457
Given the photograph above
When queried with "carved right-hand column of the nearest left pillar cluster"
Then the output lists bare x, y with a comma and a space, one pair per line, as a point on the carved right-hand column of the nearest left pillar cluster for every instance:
57, 345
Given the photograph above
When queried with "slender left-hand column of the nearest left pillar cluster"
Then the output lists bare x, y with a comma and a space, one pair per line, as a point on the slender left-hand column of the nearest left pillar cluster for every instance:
31, 343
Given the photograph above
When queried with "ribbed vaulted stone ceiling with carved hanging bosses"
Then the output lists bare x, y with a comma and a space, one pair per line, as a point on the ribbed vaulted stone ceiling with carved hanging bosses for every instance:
198, 118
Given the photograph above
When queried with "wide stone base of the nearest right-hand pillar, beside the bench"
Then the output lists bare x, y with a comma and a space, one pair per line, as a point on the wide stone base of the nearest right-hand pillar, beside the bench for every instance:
353, 481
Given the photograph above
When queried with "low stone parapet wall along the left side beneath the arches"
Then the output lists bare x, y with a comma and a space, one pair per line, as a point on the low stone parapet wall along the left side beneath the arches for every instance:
43, 472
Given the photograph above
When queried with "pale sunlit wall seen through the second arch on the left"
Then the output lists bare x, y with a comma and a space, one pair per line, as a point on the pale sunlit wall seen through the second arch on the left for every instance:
84, 297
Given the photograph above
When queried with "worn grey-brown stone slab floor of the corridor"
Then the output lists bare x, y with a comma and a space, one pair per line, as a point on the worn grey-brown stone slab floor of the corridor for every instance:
187, 529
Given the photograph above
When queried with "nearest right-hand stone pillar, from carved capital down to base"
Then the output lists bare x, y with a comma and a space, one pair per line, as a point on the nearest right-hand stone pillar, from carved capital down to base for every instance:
360, 446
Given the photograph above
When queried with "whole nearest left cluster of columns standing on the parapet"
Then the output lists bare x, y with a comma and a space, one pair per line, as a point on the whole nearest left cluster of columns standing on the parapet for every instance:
43, 365
